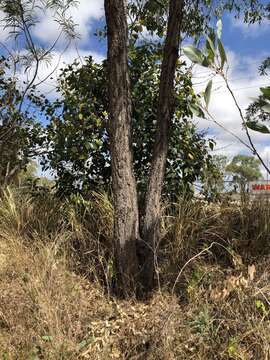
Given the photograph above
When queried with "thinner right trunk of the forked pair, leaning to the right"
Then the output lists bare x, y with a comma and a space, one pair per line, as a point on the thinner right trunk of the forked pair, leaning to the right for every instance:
151, 227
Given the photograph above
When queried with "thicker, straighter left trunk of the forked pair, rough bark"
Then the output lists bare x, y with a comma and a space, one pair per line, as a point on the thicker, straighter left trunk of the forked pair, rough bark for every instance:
126, 217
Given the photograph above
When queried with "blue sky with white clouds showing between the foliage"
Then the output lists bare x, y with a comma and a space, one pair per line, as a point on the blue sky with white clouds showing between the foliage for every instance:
246, 47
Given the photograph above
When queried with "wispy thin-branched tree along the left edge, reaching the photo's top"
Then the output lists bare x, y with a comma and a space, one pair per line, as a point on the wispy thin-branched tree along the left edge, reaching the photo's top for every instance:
19, 128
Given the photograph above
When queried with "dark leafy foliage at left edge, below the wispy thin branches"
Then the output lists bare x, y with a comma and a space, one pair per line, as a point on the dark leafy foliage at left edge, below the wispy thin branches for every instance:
19, 130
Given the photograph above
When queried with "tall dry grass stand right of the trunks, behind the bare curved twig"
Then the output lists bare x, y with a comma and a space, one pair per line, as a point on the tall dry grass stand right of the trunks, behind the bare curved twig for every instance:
191, 225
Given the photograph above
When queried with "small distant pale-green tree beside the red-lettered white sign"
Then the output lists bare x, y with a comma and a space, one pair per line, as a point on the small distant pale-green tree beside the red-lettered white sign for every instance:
244, 169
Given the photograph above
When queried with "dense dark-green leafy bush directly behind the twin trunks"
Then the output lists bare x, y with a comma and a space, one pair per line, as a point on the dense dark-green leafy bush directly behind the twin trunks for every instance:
78, 139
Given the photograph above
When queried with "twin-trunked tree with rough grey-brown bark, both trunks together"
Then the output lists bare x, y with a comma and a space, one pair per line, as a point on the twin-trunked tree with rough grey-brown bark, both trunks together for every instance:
126, 218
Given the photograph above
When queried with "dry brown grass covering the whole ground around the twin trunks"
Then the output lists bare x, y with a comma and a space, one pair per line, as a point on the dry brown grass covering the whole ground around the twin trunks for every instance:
56, 272
